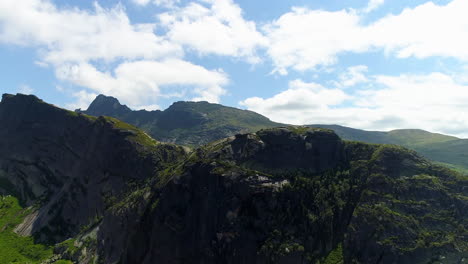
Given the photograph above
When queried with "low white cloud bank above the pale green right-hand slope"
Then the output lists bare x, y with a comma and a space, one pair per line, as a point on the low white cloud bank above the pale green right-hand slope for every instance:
435, 102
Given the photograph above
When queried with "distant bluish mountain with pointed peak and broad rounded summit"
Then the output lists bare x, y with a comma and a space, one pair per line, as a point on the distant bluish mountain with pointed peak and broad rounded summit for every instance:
184, 123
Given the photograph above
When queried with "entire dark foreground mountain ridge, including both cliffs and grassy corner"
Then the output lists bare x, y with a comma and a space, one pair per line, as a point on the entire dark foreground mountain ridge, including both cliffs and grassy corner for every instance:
97, 190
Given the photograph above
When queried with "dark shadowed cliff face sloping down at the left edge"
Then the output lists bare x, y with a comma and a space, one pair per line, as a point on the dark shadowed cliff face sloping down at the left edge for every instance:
70, 166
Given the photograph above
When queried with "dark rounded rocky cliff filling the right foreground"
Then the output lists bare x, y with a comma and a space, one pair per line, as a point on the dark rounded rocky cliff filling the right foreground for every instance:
310, 198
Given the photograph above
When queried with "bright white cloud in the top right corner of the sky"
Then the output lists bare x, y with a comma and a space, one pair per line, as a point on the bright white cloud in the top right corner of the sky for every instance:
425, 31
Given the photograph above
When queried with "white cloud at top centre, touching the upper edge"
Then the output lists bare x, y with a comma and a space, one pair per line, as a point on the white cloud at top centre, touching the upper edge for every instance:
214, 27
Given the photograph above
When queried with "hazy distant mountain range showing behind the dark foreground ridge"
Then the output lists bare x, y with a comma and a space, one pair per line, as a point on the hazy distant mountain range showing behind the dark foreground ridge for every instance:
198, 123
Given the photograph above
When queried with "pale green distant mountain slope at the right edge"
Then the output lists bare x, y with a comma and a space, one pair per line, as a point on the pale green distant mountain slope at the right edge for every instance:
448, 150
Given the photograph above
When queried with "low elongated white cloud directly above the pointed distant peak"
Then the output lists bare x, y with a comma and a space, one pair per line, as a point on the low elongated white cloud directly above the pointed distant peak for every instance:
141, 83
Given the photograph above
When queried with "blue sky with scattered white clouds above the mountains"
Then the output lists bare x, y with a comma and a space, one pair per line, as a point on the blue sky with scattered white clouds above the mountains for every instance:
375, 65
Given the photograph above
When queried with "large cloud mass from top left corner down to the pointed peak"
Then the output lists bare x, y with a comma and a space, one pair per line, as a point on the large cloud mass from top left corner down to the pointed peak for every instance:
141, 66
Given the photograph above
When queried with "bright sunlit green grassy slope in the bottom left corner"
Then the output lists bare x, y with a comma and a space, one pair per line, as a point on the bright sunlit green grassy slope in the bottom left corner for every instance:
14, 248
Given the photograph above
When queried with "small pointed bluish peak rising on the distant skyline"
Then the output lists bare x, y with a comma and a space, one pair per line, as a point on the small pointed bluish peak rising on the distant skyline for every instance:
107, 105
